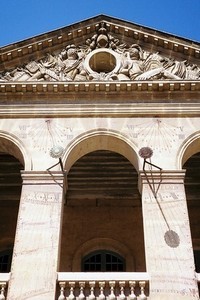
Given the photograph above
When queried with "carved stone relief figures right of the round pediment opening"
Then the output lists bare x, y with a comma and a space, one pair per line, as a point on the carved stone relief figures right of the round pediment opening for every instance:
140, 65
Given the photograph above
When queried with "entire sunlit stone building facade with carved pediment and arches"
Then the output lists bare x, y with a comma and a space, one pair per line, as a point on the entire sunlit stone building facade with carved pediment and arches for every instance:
100, 161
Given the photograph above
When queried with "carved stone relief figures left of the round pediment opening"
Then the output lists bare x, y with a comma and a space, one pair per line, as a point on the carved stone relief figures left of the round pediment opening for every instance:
66, 66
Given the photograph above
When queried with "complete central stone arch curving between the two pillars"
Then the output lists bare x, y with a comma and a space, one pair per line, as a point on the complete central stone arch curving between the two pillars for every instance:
100, 139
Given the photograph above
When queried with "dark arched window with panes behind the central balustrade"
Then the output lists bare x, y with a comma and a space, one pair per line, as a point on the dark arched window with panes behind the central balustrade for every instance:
103, 261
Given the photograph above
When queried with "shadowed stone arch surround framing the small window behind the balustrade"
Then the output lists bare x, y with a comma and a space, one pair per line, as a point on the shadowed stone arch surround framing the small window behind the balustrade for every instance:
97, 244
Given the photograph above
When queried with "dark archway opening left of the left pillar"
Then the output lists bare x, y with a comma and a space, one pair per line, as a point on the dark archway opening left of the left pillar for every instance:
11, 164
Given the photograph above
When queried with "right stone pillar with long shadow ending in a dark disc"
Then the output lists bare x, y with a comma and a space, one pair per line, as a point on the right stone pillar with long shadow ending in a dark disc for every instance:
168, 245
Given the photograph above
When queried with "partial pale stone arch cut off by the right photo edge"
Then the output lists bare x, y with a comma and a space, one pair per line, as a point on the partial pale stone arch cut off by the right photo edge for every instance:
188, 148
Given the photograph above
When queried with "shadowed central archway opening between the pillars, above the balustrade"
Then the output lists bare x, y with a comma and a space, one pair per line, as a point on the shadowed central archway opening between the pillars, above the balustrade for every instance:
102, 202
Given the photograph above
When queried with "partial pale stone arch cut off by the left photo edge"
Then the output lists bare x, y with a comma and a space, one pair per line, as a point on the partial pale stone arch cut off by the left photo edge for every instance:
11, 144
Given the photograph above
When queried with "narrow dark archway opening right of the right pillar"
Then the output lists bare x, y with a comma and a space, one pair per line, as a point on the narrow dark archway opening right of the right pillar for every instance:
192, 188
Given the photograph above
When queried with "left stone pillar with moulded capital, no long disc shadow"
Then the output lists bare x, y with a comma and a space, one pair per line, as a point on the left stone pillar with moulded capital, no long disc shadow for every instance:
36, 249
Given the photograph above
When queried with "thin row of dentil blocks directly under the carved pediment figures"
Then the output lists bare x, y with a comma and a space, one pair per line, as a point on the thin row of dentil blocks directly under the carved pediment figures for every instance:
99, 86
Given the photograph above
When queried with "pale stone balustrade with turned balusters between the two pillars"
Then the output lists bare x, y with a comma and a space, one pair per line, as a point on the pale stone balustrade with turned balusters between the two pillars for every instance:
103, 286
